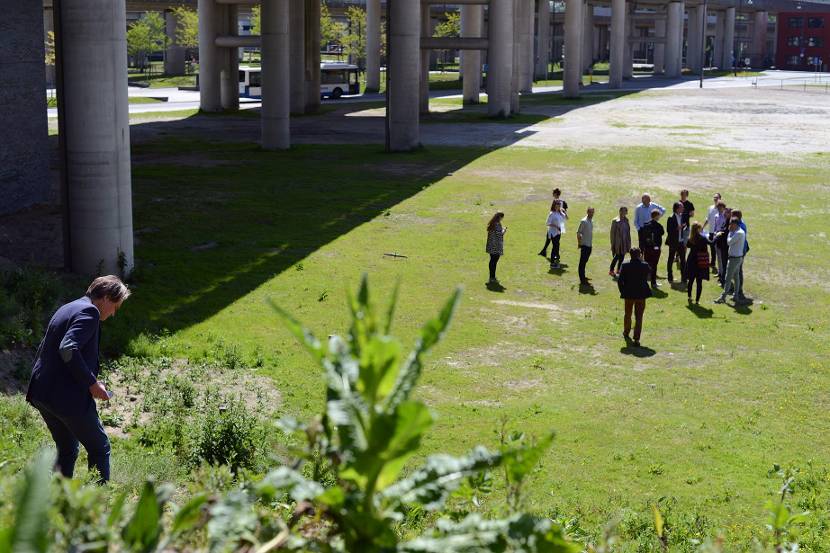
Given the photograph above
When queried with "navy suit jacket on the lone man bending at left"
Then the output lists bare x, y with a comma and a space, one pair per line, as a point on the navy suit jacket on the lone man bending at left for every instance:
67, 359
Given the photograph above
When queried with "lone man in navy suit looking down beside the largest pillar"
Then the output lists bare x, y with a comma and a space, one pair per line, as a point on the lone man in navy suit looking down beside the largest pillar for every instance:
65, 376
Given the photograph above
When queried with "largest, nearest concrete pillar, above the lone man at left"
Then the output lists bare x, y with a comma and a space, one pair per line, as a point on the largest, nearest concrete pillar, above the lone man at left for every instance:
97, 139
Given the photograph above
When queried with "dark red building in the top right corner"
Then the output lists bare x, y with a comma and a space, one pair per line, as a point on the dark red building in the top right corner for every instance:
803, 41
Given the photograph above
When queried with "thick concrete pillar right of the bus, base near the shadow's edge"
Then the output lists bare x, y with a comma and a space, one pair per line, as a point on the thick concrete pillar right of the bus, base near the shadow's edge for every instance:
403, 74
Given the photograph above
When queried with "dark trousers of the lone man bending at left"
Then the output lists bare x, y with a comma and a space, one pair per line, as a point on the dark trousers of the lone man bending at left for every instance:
69, 431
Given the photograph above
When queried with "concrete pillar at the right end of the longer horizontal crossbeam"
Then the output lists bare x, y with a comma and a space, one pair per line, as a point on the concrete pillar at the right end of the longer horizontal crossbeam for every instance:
499, 57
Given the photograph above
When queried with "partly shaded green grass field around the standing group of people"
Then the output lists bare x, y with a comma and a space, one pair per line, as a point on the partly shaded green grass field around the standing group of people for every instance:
694, 421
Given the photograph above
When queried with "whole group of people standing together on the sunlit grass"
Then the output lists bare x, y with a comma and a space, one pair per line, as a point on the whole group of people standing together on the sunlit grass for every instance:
717, 245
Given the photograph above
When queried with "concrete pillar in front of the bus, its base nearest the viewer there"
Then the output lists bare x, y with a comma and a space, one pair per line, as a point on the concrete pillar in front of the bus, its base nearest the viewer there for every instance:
276, 101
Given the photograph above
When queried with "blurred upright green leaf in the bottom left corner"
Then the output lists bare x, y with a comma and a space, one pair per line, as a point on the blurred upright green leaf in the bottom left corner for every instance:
31, 521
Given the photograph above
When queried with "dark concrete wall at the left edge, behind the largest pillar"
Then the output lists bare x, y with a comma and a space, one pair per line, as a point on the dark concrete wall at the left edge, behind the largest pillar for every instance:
24, 157
